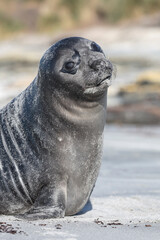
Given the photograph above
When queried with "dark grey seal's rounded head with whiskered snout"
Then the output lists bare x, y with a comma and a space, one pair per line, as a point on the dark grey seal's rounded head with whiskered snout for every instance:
78, 63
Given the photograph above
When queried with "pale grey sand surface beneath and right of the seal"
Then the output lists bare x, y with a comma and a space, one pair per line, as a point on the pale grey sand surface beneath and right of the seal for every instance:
125, 201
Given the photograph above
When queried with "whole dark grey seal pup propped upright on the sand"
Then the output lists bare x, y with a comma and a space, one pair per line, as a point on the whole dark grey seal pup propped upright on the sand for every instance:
51, 134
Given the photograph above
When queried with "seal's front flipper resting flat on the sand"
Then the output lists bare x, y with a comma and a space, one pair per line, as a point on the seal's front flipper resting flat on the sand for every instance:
50, 203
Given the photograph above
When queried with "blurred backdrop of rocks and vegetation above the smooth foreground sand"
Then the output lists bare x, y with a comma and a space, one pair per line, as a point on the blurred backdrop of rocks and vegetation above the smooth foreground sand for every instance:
127, 30
